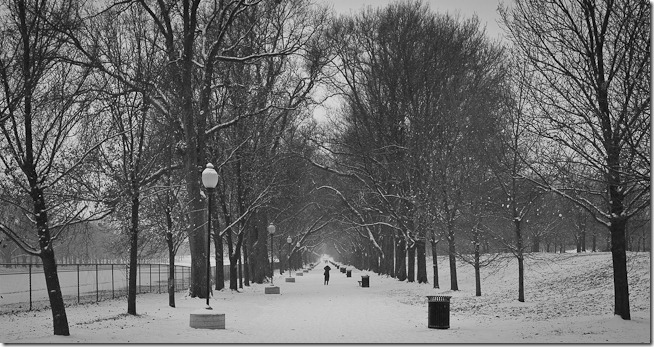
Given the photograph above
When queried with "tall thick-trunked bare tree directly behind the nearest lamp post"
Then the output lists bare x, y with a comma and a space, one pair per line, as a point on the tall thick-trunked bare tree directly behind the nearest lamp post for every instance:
192, 39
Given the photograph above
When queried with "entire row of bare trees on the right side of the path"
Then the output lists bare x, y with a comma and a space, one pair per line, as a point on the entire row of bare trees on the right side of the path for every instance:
447, 135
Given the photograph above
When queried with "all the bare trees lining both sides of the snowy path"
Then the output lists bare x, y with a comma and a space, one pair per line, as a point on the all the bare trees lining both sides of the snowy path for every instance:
112, 111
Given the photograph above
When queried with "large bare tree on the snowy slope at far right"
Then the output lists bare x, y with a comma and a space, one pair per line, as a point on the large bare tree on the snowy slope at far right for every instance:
591, 62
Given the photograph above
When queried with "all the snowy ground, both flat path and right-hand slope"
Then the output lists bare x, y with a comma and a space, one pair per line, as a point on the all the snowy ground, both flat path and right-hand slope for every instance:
569, 299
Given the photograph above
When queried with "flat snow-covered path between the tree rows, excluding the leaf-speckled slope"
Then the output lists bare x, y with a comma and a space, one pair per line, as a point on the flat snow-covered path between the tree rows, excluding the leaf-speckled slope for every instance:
309, 312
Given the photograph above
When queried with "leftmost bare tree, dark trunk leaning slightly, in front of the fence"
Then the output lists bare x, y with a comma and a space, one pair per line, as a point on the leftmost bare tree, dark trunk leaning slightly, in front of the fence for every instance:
44, 103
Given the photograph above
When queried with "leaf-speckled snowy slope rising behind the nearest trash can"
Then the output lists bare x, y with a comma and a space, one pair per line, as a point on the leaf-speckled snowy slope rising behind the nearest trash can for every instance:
556, 285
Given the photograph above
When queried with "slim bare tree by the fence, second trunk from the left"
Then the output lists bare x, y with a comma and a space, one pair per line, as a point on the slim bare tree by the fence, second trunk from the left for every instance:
132, 160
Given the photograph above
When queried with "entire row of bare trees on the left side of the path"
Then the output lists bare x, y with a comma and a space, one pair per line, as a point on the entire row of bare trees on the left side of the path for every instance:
113, 110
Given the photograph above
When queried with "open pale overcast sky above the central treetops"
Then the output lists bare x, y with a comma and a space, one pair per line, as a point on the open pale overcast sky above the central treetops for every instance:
486, 10
